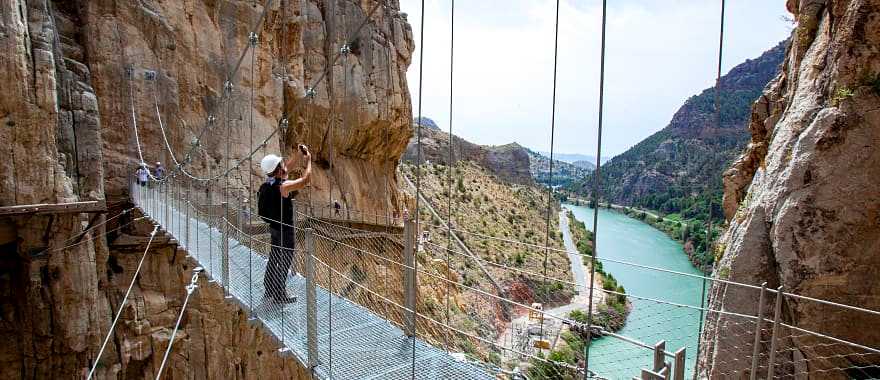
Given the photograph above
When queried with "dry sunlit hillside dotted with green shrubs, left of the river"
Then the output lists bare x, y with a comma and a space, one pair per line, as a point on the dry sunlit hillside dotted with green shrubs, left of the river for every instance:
484, 204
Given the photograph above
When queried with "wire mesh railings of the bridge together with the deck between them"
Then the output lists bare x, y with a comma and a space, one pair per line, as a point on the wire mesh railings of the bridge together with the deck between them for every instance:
399, 305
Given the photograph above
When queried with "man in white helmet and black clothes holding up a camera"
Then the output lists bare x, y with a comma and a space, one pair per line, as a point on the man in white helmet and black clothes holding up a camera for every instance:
275, 206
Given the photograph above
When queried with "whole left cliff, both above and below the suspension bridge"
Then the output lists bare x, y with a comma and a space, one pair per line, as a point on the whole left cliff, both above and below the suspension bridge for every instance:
76, 79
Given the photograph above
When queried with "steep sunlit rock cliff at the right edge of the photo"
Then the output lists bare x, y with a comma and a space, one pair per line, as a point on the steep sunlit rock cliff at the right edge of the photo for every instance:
803, 199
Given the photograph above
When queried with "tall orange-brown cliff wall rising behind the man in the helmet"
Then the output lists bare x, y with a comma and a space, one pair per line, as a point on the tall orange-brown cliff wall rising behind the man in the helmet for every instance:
357, 124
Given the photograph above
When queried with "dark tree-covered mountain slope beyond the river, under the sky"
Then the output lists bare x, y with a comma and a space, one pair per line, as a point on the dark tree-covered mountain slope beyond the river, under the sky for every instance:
672, 168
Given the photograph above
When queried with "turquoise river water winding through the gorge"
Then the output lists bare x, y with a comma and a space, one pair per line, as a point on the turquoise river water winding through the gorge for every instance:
623, 238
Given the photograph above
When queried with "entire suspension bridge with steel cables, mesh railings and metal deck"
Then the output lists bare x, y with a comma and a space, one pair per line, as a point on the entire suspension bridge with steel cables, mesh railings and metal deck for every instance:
363, 280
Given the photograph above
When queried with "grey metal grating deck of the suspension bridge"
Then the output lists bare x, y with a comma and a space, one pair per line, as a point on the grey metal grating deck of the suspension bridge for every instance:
364, 345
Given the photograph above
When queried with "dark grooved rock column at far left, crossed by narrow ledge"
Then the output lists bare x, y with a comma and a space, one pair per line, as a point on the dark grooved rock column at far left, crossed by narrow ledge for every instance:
51, 310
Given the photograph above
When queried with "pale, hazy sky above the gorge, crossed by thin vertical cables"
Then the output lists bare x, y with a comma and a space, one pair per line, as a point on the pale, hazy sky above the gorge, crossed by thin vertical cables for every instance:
658, 53
